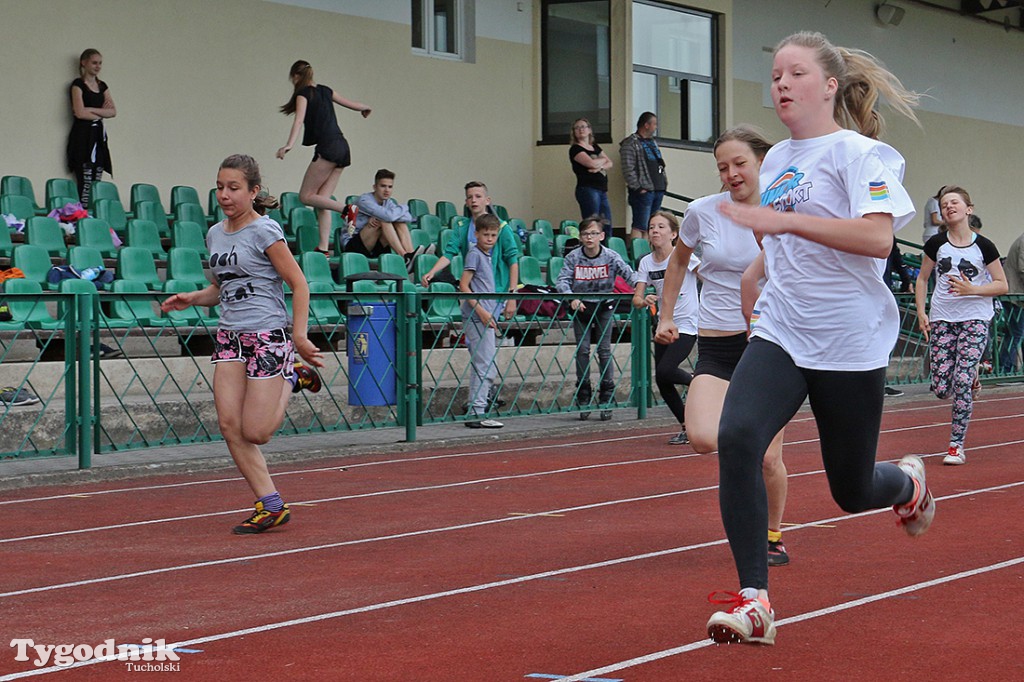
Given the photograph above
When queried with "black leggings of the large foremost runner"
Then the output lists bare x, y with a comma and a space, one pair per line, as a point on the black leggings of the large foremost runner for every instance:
766, 392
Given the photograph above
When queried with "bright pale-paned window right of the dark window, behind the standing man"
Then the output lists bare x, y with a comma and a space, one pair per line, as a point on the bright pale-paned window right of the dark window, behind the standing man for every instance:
675, 72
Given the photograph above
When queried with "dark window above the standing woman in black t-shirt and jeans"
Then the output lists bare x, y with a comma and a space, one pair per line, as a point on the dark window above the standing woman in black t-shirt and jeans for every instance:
576, 68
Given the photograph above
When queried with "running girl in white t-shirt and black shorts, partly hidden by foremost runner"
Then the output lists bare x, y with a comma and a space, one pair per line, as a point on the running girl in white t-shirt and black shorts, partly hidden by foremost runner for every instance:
728, 250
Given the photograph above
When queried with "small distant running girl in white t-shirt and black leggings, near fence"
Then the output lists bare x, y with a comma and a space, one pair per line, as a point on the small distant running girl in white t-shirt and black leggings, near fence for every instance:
662, 232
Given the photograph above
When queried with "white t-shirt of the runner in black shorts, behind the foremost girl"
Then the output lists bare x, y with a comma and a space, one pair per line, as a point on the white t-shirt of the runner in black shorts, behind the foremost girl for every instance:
727, 251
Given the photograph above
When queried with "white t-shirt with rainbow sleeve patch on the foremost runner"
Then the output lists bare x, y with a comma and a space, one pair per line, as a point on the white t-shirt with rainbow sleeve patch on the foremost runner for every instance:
828, 309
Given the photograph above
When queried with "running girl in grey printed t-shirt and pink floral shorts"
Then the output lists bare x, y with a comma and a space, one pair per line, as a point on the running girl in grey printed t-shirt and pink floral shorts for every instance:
254, 356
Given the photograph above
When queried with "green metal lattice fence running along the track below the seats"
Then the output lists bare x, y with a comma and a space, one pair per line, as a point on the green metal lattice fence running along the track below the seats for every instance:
406, 369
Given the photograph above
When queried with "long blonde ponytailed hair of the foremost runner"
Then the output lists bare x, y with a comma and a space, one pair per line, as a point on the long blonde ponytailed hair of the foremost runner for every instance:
862, 78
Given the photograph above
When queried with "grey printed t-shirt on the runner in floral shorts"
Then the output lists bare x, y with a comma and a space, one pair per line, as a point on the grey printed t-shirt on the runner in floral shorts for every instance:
252, 296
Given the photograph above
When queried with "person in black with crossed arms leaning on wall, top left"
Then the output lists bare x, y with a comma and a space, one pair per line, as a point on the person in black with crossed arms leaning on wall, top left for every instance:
89, 156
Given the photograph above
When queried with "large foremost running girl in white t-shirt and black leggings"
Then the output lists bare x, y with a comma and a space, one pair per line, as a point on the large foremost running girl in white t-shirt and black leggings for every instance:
826, 323
